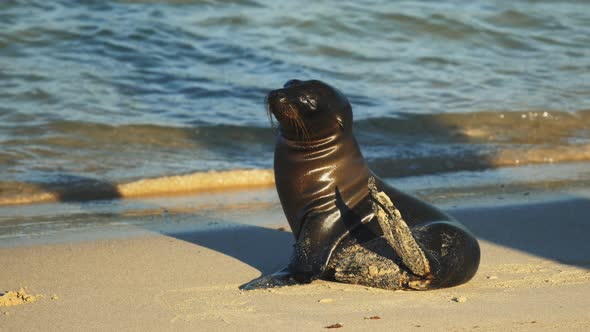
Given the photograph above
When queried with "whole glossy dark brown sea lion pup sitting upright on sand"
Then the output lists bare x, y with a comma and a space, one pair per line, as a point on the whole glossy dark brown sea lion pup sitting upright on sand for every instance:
349, 225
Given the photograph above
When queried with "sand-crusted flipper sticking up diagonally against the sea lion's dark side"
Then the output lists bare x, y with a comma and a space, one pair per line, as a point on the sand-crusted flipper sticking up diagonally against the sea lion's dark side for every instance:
397, 233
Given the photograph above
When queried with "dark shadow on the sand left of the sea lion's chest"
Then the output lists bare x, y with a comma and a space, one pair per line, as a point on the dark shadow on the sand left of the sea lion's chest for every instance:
265, 249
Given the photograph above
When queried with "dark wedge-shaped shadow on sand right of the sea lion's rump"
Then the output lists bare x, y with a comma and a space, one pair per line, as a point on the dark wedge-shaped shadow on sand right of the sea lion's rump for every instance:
556, 230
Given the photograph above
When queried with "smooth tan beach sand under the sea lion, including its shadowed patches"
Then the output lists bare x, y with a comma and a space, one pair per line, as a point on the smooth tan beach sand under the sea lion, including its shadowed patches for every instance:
534, 276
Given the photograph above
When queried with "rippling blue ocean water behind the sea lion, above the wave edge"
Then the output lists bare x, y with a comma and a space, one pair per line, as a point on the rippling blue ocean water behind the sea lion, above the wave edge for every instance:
95, 94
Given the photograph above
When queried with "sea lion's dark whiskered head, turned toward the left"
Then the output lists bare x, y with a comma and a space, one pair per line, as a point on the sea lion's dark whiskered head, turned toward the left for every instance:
309, 110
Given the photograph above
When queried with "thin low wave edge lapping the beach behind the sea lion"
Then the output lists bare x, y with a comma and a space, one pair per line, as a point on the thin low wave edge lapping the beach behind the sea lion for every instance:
535, 176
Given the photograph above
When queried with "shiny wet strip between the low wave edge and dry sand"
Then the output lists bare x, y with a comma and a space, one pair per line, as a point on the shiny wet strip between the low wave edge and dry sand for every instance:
68, 221
